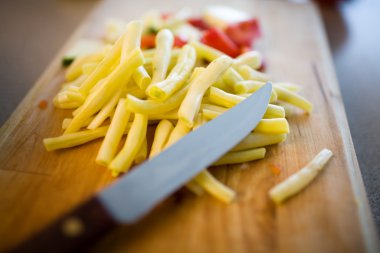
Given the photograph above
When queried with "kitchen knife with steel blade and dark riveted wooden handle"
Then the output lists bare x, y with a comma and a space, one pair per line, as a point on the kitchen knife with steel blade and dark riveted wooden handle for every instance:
131, 197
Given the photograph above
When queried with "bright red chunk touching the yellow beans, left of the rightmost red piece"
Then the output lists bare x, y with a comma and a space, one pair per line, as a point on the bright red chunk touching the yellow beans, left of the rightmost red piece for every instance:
216, 38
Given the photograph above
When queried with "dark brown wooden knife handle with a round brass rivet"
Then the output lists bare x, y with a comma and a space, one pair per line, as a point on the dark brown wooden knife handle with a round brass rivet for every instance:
74, 232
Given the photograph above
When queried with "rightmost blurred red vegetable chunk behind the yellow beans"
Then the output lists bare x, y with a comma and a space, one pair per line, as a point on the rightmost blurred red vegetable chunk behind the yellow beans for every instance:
244, 33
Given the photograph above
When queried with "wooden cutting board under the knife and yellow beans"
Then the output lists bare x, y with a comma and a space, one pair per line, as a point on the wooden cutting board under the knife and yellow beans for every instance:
332, 215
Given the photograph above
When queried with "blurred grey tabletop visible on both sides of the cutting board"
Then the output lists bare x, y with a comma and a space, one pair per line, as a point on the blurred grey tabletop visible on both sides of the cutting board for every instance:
31, 33
